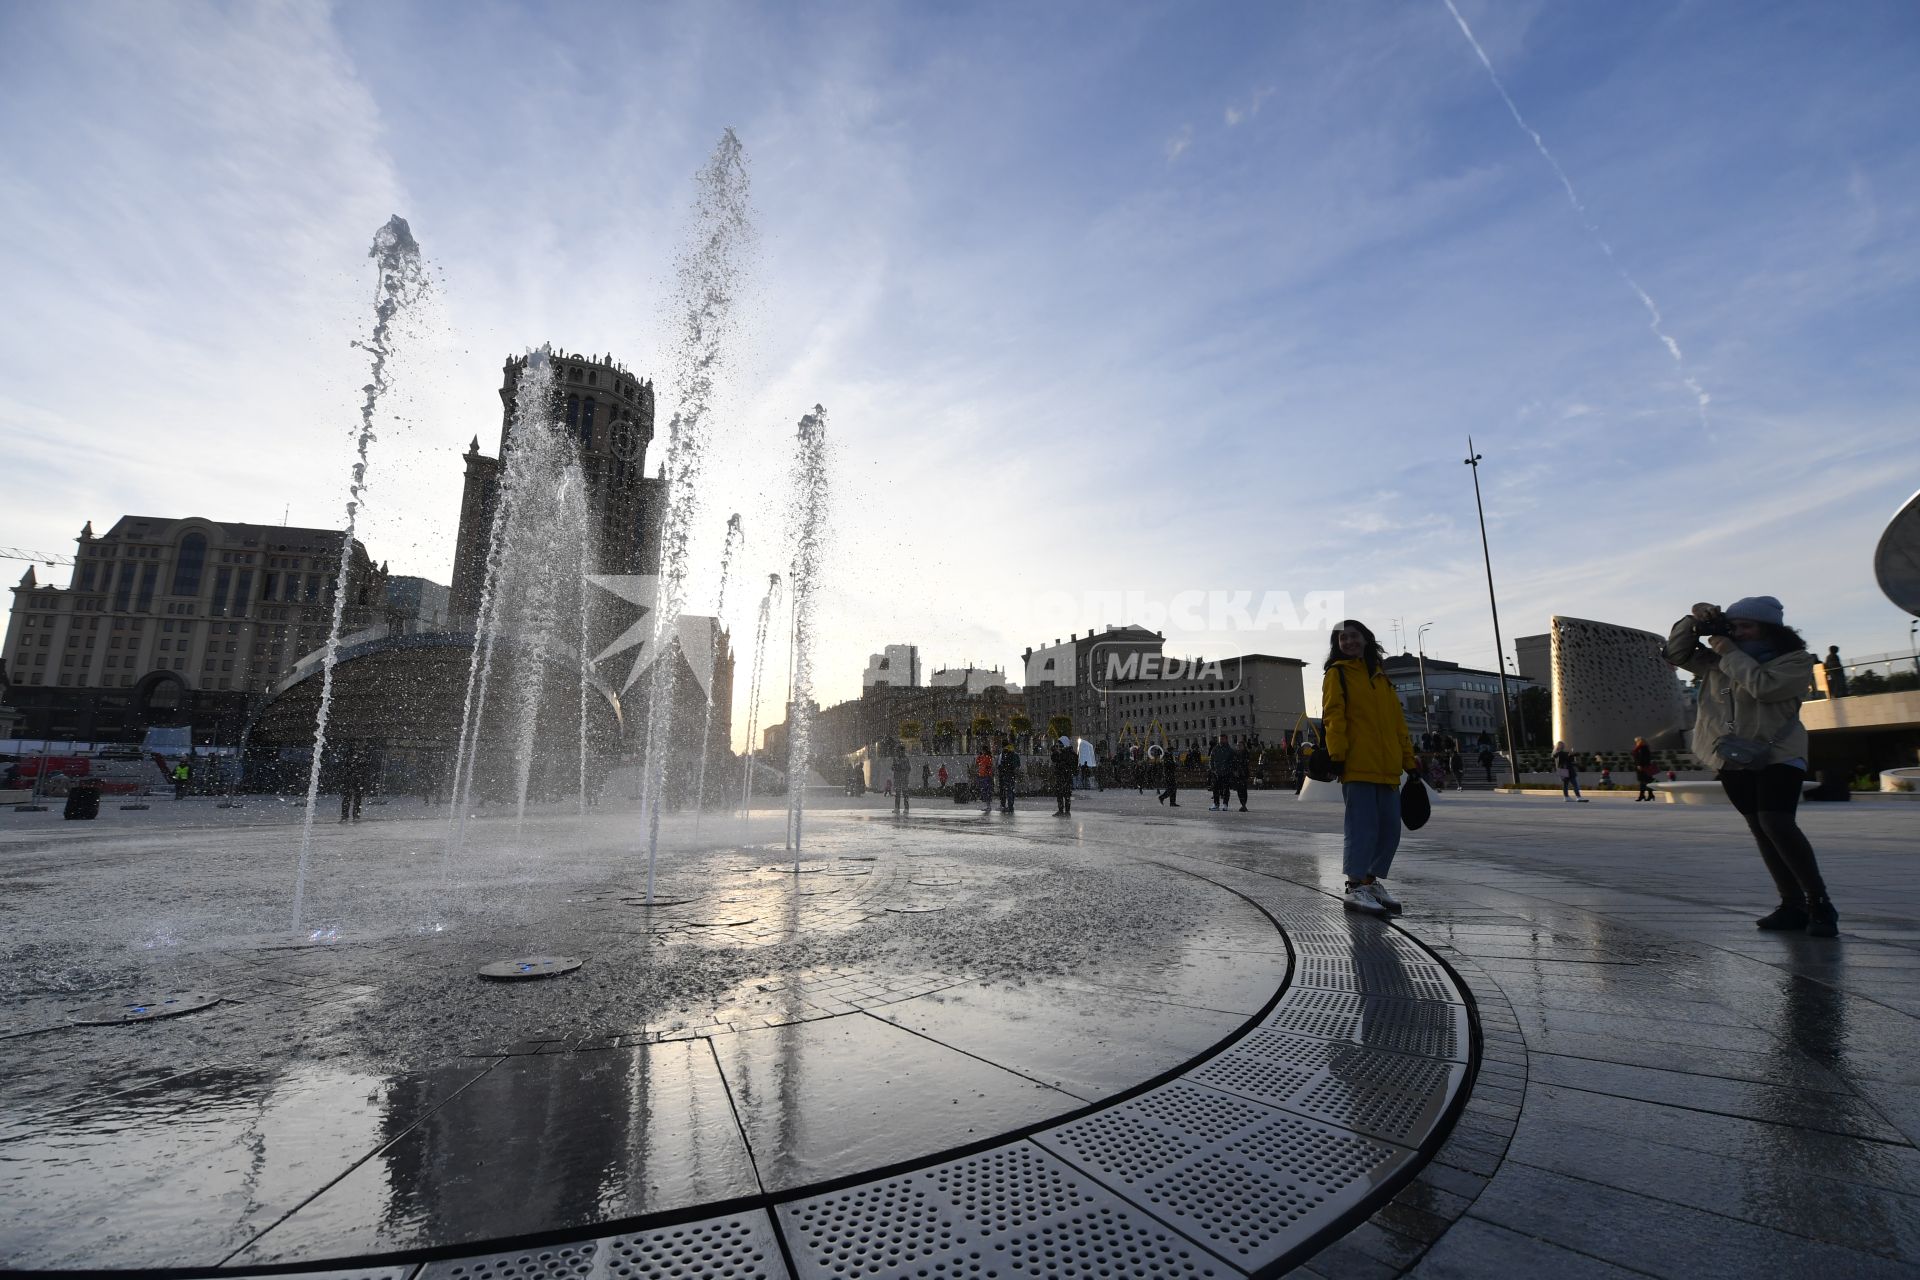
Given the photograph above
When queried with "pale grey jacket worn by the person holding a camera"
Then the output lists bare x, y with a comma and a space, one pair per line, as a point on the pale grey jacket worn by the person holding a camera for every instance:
1762, 699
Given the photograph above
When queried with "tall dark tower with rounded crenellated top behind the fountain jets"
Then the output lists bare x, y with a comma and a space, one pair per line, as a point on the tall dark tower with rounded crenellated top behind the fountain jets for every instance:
610, 415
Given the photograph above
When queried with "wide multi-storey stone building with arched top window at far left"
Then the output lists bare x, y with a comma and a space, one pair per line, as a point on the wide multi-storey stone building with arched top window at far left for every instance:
178, 623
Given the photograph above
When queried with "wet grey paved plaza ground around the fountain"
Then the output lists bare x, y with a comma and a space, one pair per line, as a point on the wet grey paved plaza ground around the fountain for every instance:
1140, 1041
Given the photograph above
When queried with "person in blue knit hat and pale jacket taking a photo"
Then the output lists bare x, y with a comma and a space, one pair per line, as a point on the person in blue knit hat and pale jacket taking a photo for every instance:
1754, 673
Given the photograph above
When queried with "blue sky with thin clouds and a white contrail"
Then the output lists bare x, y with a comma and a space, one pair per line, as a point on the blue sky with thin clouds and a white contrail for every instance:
1107, 304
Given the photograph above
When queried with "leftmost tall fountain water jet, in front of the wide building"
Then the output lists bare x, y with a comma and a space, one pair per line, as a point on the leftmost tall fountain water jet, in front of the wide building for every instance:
402, 283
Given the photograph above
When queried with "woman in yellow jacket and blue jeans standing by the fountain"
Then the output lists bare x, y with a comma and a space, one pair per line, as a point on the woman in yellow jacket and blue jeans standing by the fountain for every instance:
1370, 746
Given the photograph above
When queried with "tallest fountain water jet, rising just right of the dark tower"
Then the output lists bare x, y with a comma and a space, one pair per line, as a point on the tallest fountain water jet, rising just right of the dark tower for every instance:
709, 277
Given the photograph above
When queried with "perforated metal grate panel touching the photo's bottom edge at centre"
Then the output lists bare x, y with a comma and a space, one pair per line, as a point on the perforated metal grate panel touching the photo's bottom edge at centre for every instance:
1015, 1212
